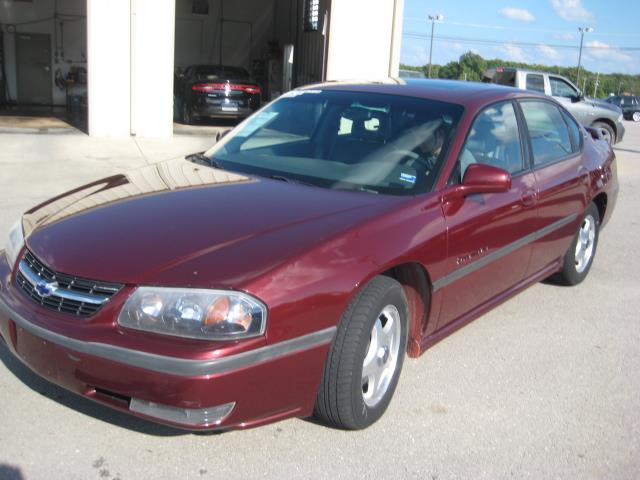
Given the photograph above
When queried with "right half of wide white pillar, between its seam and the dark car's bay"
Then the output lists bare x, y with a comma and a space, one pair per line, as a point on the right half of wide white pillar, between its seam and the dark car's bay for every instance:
152, 54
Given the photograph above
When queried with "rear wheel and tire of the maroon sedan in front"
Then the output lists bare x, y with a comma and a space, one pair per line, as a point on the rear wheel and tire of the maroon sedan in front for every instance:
579, 258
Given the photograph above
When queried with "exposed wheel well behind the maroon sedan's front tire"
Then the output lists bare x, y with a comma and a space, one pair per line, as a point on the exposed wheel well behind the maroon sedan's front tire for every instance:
417, 286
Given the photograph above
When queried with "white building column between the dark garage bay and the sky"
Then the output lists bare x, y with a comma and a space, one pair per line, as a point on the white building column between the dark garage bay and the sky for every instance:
361, 39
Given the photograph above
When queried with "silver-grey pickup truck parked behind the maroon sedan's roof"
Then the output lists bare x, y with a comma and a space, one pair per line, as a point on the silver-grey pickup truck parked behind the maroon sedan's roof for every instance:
589, 112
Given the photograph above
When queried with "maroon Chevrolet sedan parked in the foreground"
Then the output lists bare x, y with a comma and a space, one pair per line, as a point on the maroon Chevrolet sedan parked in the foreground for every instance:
288, 270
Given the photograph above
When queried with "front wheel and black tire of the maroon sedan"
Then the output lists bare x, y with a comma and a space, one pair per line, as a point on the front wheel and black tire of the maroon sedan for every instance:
366, 357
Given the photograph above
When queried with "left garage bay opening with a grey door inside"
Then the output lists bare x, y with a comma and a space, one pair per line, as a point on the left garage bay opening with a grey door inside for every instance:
43, 66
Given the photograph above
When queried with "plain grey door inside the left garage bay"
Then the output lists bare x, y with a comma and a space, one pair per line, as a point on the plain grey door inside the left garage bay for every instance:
33, 65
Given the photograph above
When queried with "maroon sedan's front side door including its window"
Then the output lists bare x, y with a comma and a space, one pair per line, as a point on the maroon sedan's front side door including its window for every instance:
489, 234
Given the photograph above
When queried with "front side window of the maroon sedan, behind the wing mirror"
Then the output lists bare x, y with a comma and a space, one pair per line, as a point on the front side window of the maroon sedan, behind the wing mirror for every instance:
493, 140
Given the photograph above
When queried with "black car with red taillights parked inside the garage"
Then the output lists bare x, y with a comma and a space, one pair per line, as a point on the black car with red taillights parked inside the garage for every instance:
215, 91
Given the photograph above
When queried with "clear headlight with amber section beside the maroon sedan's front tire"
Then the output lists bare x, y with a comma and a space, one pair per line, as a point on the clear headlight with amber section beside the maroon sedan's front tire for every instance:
194, 313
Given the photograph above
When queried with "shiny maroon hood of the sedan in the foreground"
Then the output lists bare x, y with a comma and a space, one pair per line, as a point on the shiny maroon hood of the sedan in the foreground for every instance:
180, 223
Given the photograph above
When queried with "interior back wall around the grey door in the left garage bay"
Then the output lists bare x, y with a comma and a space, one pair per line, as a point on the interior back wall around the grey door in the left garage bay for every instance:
38, 17
